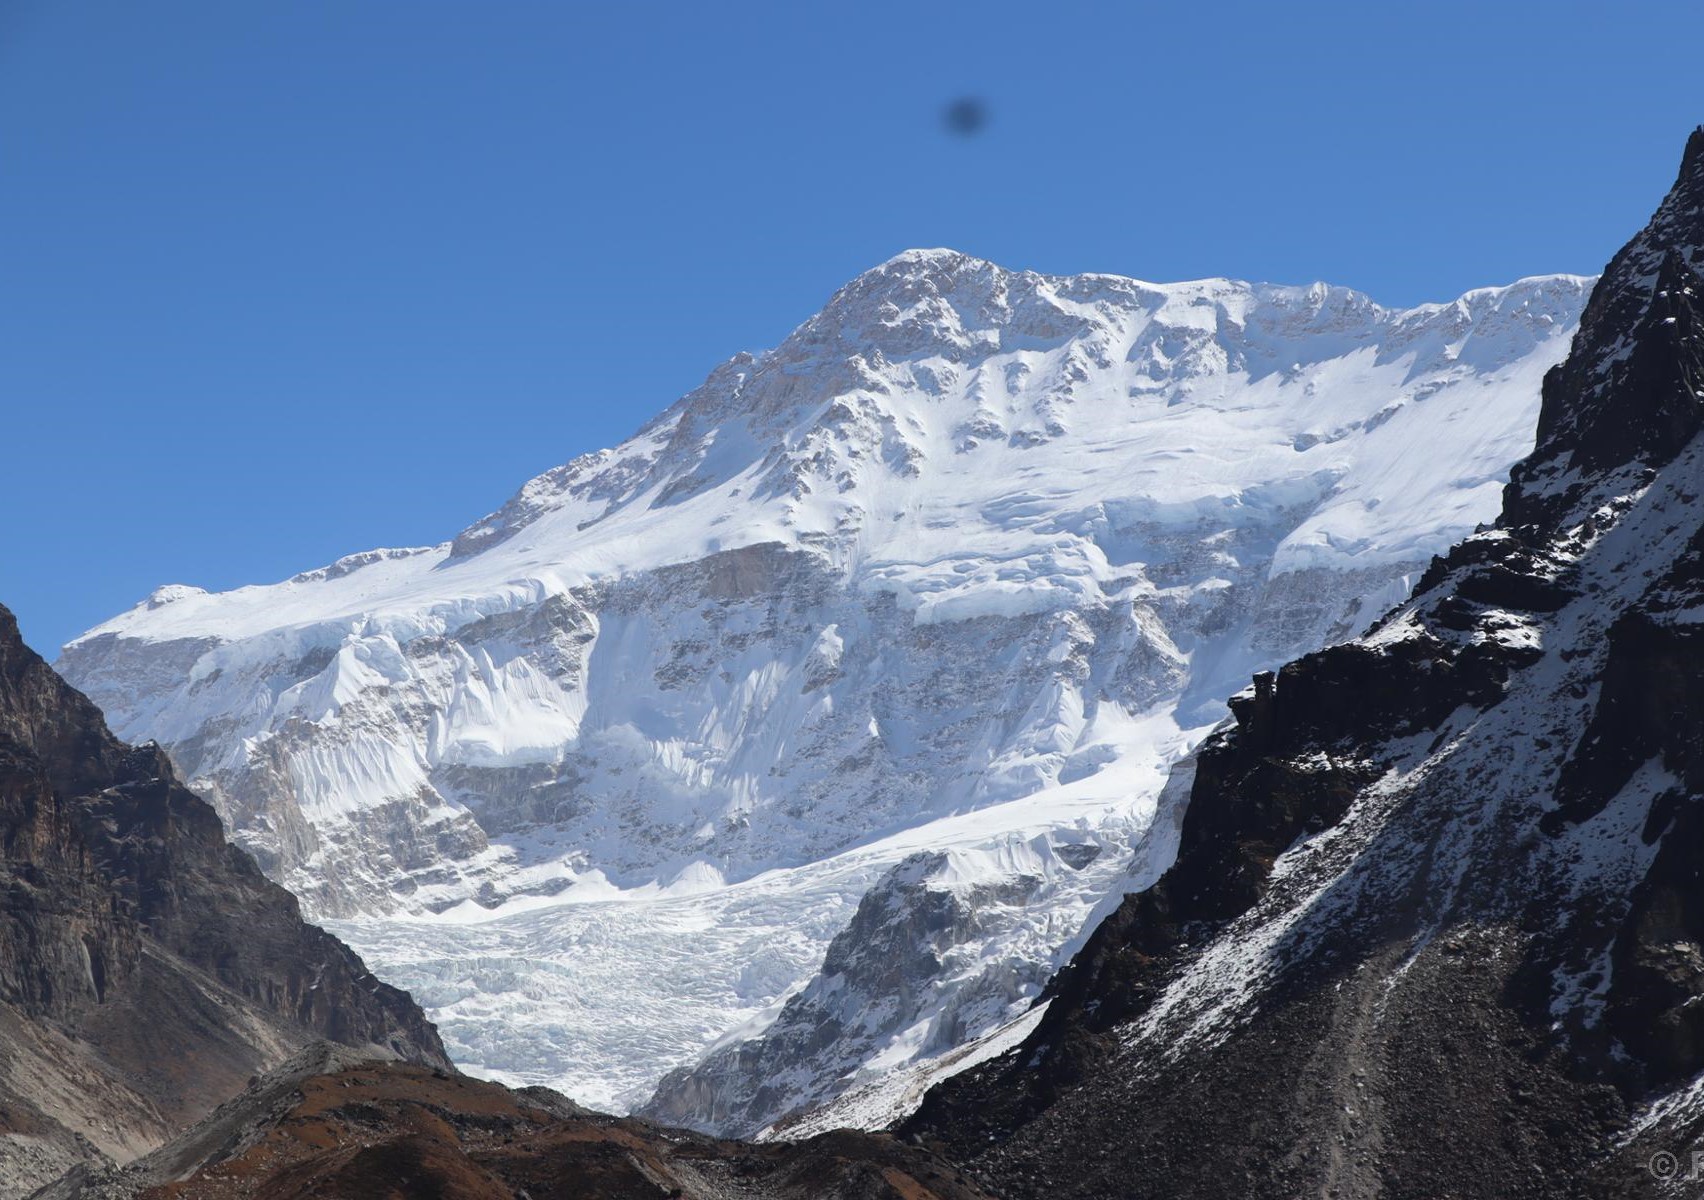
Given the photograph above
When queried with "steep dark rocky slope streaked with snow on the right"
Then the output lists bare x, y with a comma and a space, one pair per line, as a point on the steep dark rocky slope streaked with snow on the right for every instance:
1437, 920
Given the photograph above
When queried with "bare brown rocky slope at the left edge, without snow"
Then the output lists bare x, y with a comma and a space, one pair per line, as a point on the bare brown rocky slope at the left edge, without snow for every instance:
147, 967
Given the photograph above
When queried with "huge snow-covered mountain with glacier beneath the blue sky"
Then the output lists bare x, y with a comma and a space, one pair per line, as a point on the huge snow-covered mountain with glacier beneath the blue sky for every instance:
958, 570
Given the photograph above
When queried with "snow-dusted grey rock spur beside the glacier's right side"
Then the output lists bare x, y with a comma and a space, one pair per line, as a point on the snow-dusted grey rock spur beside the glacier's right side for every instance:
941, 952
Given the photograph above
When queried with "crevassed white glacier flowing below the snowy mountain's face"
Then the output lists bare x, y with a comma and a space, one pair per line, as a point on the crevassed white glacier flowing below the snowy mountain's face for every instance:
604, 995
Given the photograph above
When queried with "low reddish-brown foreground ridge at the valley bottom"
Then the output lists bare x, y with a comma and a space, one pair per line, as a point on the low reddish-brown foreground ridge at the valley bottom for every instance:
330, 1126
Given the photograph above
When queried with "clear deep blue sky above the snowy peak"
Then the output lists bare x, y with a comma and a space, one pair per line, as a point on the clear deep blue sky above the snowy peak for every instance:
280, 282
